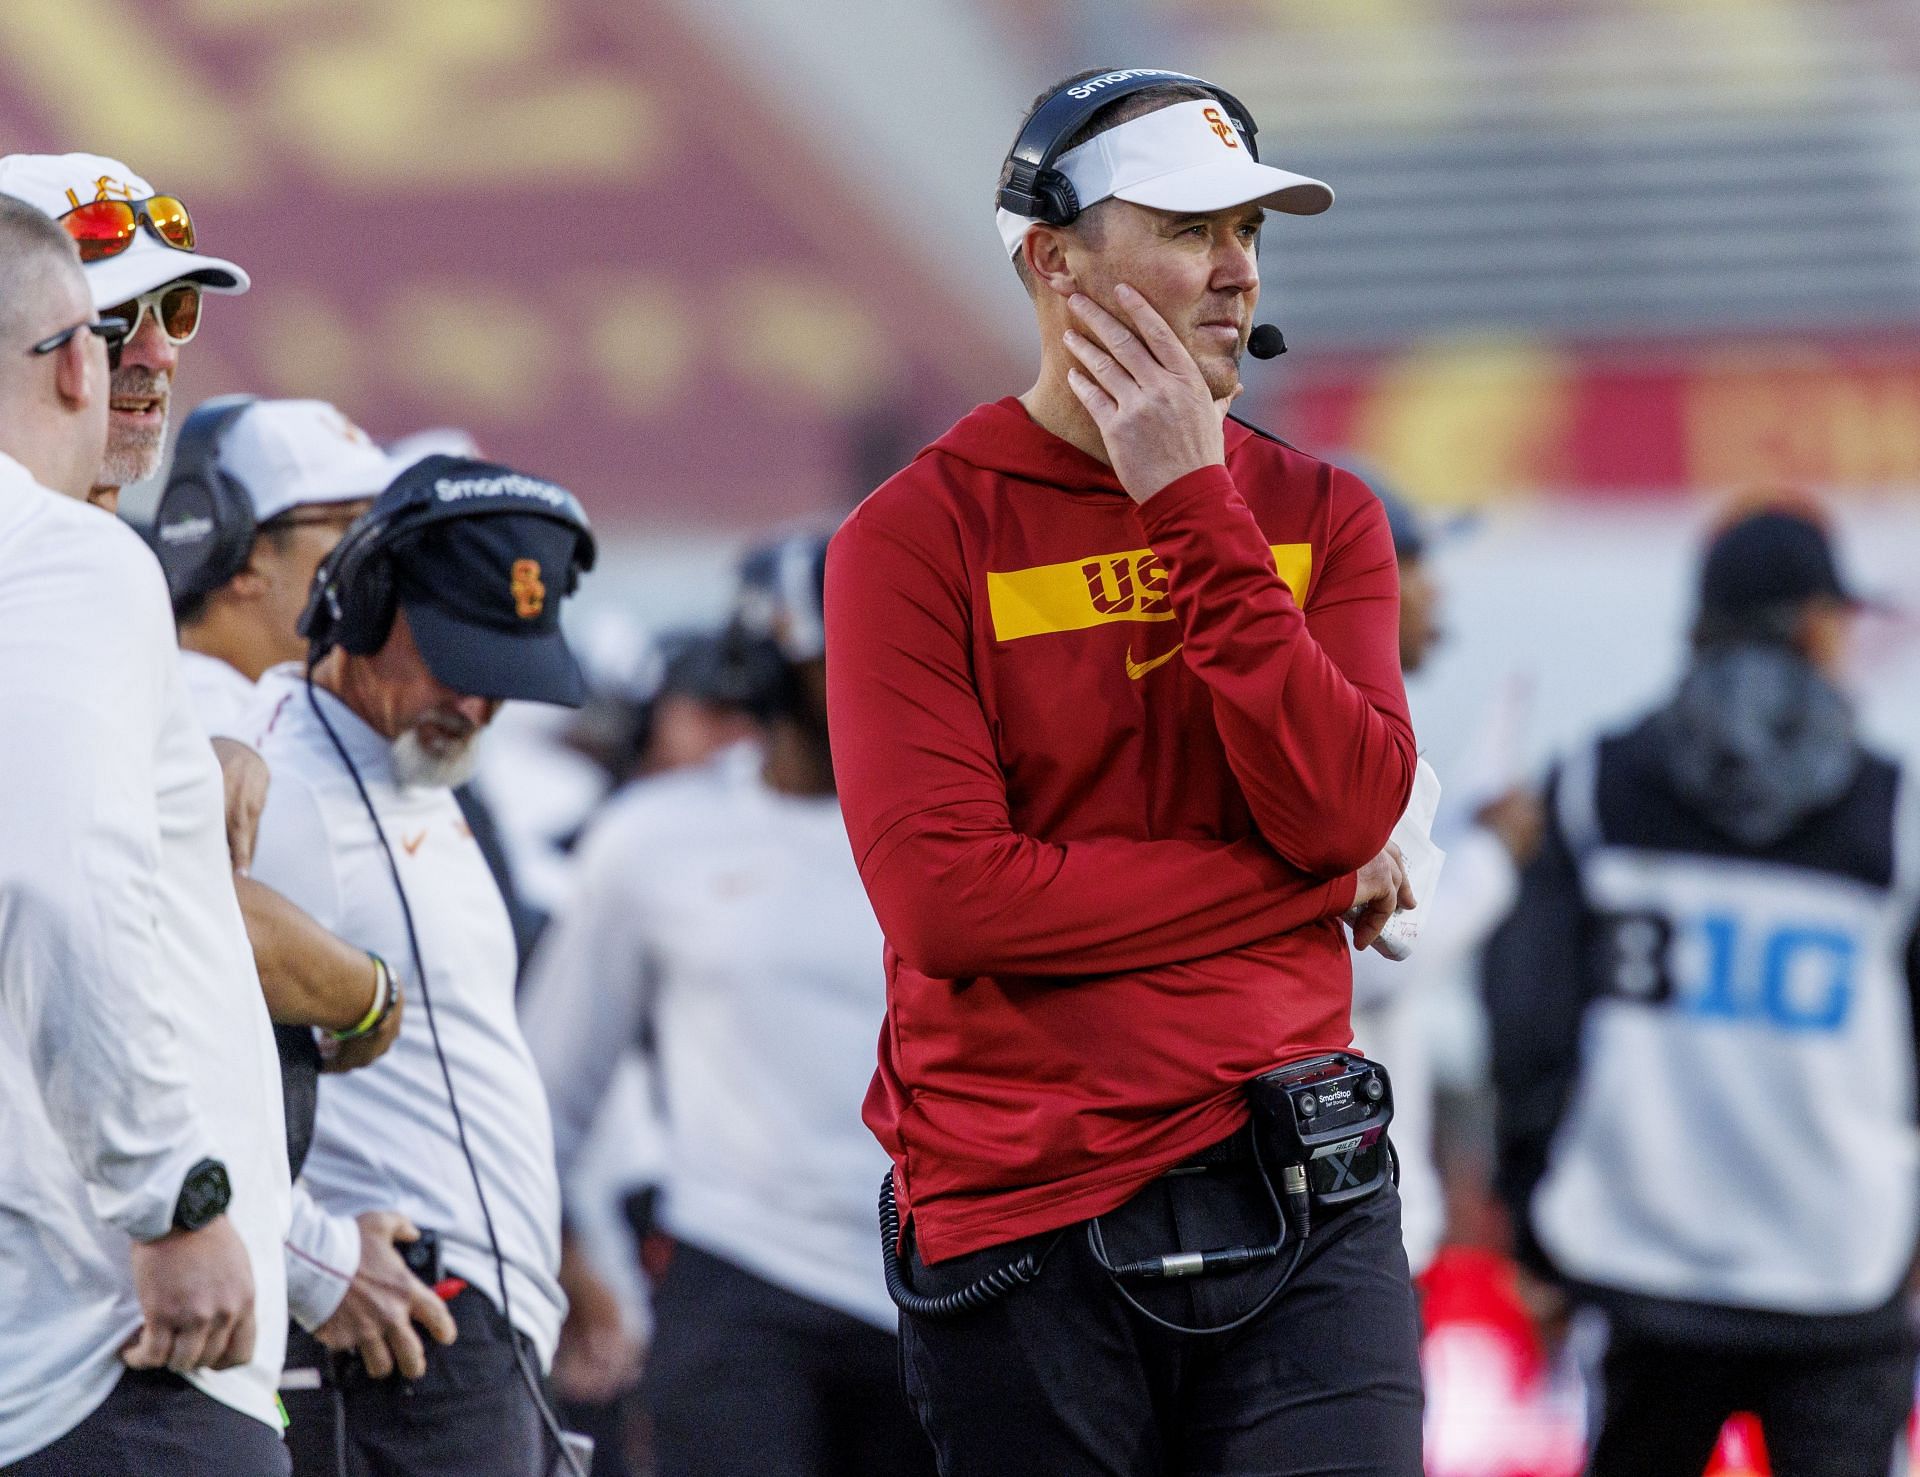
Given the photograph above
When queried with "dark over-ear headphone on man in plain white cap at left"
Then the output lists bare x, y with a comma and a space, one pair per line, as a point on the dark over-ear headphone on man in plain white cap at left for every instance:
204, 521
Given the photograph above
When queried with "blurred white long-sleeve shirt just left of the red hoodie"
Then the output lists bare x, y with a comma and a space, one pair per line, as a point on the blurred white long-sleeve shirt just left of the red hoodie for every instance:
732, 919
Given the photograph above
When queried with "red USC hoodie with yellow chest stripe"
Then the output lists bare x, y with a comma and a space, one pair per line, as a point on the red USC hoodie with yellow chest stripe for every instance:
1107, 773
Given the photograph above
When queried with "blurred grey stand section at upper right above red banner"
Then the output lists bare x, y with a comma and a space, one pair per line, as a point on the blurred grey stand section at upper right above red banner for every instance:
1595, 172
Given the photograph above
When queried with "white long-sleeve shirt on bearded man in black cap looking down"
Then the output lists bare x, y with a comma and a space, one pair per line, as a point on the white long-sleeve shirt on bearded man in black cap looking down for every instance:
385, 1138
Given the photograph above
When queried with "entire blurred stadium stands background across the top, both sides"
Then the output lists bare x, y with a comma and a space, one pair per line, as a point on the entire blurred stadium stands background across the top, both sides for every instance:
725, 264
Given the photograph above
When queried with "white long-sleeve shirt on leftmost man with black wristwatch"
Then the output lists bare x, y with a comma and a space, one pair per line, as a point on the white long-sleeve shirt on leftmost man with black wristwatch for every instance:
133, 1036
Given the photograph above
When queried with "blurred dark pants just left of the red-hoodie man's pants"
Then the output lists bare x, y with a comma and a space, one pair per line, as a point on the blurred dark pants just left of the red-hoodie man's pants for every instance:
748, 1378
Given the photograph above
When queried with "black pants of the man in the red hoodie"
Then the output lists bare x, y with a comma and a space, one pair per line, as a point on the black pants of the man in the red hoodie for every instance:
1065, 1380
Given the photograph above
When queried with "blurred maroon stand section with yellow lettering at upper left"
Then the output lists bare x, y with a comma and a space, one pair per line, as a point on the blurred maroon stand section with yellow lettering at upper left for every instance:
573, 228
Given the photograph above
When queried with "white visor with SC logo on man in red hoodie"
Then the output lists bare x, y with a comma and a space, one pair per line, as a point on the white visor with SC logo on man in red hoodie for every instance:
1186, 158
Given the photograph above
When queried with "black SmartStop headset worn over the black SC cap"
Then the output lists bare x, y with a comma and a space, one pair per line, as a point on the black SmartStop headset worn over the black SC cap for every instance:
354, 598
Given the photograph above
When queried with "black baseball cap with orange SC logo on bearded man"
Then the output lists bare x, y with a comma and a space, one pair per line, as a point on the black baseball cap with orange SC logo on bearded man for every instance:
483, 598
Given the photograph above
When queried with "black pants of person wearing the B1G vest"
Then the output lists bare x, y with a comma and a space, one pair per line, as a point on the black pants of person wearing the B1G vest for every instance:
1838, 1416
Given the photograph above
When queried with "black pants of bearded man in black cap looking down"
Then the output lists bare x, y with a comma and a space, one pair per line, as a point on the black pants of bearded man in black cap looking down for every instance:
471, 1413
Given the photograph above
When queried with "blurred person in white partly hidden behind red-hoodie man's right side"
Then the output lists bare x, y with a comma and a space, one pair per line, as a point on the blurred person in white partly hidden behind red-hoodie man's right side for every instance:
1391, 1007
